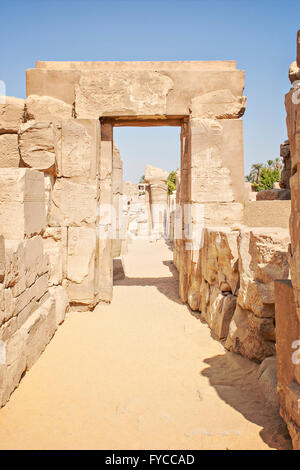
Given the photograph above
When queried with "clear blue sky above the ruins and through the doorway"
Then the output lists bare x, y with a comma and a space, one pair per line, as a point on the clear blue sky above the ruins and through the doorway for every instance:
259, 34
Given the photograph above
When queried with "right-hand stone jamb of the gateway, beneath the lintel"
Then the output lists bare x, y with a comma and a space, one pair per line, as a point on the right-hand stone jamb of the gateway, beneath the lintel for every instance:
213, 175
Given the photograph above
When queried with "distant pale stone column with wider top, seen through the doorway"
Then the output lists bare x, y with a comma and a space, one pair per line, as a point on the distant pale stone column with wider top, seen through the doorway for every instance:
158, 189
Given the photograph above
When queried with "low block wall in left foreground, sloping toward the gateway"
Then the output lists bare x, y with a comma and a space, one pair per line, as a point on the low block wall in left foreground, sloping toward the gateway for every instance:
30, 311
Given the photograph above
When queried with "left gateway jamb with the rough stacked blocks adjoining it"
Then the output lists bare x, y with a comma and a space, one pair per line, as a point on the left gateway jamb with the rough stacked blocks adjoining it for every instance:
67, 152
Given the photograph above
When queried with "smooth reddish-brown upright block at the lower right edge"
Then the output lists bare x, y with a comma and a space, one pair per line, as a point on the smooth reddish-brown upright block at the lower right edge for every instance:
288, 357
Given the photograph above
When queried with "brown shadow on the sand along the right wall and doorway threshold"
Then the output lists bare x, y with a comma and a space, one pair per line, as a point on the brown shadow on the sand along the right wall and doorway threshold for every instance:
233, 377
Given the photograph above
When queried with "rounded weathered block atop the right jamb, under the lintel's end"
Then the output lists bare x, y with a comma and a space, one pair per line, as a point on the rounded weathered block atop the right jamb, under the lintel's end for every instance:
219, 104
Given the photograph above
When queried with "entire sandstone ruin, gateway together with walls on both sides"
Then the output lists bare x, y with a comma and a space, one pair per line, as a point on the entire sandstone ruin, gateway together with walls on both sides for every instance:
63, 218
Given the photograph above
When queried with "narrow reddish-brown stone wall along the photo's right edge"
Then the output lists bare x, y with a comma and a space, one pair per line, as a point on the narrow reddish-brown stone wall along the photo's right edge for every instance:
287, 293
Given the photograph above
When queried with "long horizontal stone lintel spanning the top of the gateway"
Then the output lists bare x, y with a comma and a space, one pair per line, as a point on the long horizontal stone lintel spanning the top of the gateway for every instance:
126, 82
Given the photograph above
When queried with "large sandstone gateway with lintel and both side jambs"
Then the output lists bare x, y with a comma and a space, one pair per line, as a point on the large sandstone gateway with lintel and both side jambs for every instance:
205, 98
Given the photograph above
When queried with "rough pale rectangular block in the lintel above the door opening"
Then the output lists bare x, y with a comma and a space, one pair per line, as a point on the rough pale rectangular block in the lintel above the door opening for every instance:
121, 93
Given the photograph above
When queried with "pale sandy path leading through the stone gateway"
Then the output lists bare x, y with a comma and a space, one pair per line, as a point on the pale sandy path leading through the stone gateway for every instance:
142, 372
